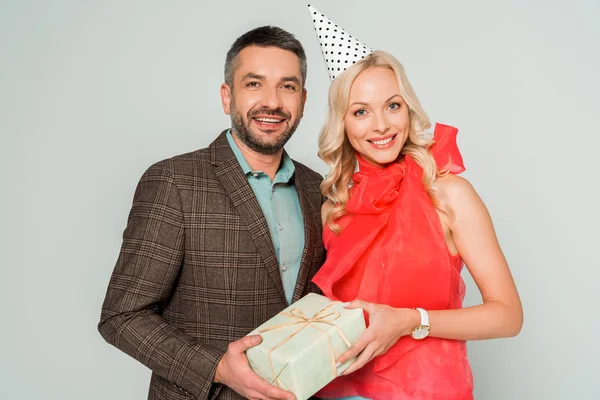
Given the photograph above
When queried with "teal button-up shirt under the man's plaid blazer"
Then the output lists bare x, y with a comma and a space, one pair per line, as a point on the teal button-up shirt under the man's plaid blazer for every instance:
281, 207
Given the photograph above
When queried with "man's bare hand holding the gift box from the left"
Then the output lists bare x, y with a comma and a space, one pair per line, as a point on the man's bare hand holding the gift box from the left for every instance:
235, 372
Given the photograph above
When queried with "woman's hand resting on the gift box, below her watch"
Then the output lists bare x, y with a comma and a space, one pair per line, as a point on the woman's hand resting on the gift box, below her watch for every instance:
386, 325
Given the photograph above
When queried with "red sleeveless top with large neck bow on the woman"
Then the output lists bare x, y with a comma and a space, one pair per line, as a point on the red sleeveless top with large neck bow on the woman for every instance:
391, 250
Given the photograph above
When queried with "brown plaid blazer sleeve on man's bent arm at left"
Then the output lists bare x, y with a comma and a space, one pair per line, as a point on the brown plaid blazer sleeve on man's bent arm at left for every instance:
142, 282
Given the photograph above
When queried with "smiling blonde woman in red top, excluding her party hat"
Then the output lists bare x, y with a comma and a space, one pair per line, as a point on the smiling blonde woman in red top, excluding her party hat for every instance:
397, 233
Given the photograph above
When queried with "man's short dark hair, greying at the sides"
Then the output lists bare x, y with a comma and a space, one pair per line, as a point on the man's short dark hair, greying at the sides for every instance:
264, 36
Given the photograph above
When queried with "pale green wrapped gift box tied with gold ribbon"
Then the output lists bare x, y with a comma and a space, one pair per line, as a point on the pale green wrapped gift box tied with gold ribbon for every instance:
301, 343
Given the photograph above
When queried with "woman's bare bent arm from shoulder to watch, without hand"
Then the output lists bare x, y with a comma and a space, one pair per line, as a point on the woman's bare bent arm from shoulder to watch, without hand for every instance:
473, 236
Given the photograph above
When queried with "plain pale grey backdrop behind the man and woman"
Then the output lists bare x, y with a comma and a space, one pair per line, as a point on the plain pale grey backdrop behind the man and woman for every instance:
94, 92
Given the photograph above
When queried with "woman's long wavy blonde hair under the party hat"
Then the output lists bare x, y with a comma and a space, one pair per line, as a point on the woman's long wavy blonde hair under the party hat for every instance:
337, 152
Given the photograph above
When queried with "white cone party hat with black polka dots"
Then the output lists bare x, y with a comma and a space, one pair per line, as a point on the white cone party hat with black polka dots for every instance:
340, 50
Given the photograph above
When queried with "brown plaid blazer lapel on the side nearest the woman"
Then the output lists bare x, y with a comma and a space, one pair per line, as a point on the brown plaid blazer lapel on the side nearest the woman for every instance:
310, 236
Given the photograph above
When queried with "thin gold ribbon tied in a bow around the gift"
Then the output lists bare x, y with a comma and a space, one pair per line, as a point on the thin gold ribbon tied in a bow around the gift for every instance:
298, 317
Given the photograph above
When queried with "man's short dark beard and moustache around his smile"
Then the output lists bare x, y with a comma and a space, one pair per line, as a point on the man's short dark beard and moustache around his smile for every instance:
247, 136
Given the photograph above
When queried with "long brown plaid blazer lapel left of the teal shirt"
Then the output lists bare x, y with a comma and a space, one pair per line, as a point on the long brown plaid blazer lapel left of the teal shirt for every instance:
234, 181
